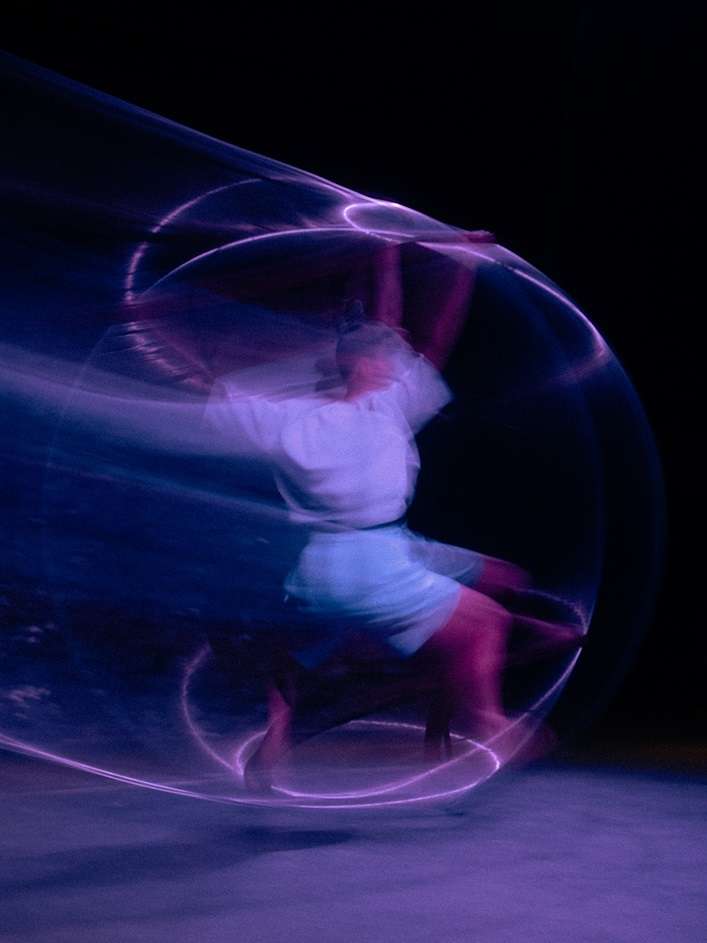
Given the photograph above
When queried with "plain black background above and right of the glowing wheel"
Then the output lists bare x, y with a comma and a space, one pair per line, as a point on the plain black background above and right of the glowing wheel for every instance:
565, 130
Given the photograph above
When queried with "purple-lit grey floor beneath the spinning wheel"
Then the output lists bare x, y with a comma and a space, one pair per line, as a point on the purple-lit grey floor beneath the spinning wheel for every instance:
549, 853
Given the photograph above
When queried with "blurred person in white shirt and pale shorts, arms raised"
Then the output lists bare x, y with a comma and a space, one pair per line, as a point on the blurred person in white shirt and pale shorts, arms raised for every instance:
346, 463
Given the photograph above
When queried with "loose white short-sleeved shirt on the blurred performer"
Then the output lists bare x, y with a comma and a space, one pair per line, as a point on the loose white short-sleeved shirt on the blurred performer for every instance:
342, 462
